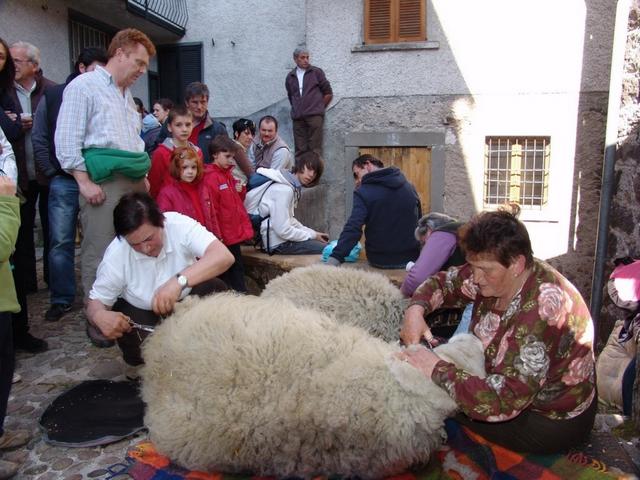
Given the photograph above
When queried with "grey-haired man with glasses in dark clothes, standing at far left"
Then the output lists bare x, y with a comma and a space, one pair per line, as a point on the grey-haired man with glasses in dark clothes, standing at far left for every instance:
28, 89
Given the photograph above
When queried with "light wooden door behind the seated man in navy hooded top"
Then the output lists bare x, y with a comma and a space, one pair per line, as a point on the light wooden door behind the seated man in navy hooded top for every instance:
415, 163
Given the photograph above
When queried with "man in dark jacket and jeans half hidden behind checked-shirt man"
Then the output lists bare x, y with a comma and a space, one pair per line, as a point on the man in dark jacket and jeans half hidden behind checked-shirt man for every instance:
63, 190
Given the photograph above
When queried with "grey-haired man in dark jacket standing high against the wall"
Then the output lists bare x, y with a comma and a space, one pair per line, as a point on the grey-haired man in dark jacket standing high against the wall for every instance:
309, 93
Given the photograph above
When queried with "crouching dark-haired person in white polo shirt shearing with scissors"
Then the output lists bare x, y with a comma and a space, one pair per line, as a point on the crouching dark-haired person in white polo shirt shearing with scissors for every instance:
155, 261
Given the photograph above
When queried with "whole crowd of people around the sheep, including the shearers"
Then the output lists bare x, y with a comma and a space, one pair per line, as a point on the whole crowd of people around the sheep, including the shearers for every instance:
165, 200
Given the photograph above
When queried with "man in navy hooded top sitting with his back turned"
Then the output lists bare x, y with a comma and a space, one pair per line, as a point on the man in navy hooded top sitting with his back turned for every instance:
388, 207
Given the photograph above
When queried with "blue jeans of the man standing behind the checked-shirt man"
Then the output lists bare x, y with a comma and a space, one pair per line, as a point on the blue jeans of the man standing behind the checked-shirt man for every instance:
63, 218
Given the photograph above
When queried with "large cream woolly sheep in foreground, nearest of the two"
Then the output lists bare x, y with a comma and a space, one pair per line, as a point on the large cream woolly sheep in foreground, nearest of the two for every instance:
273, 389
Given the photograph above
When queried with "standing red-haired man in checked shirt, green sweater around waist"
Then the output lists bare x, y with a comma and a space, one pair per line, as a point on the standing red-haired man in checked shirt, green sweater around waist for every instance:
98, 141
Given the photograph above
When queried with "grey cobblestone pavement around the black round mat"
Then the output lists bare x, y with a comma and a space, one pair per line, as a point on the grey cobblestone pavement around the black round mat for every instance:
71, 358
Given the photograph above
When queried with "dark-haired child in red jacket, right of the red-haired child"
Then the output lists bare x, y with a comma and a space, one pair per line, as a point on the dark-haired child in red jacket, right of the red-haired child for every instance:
233, 220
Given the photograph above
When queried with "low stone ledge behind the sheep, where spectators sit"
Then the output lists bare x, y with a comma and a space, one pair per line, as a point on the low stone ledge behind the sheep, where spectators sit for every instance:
260, 268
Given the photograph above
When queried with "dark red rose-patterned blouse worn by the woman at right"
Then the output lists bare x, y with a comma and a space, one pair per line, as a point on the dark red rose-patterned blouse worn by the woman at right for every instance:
538, 353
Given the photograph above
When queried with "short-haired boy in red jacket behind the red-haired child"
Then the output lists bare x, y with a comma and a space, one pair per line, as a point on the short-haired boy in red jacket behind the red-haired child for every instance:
180, 124
